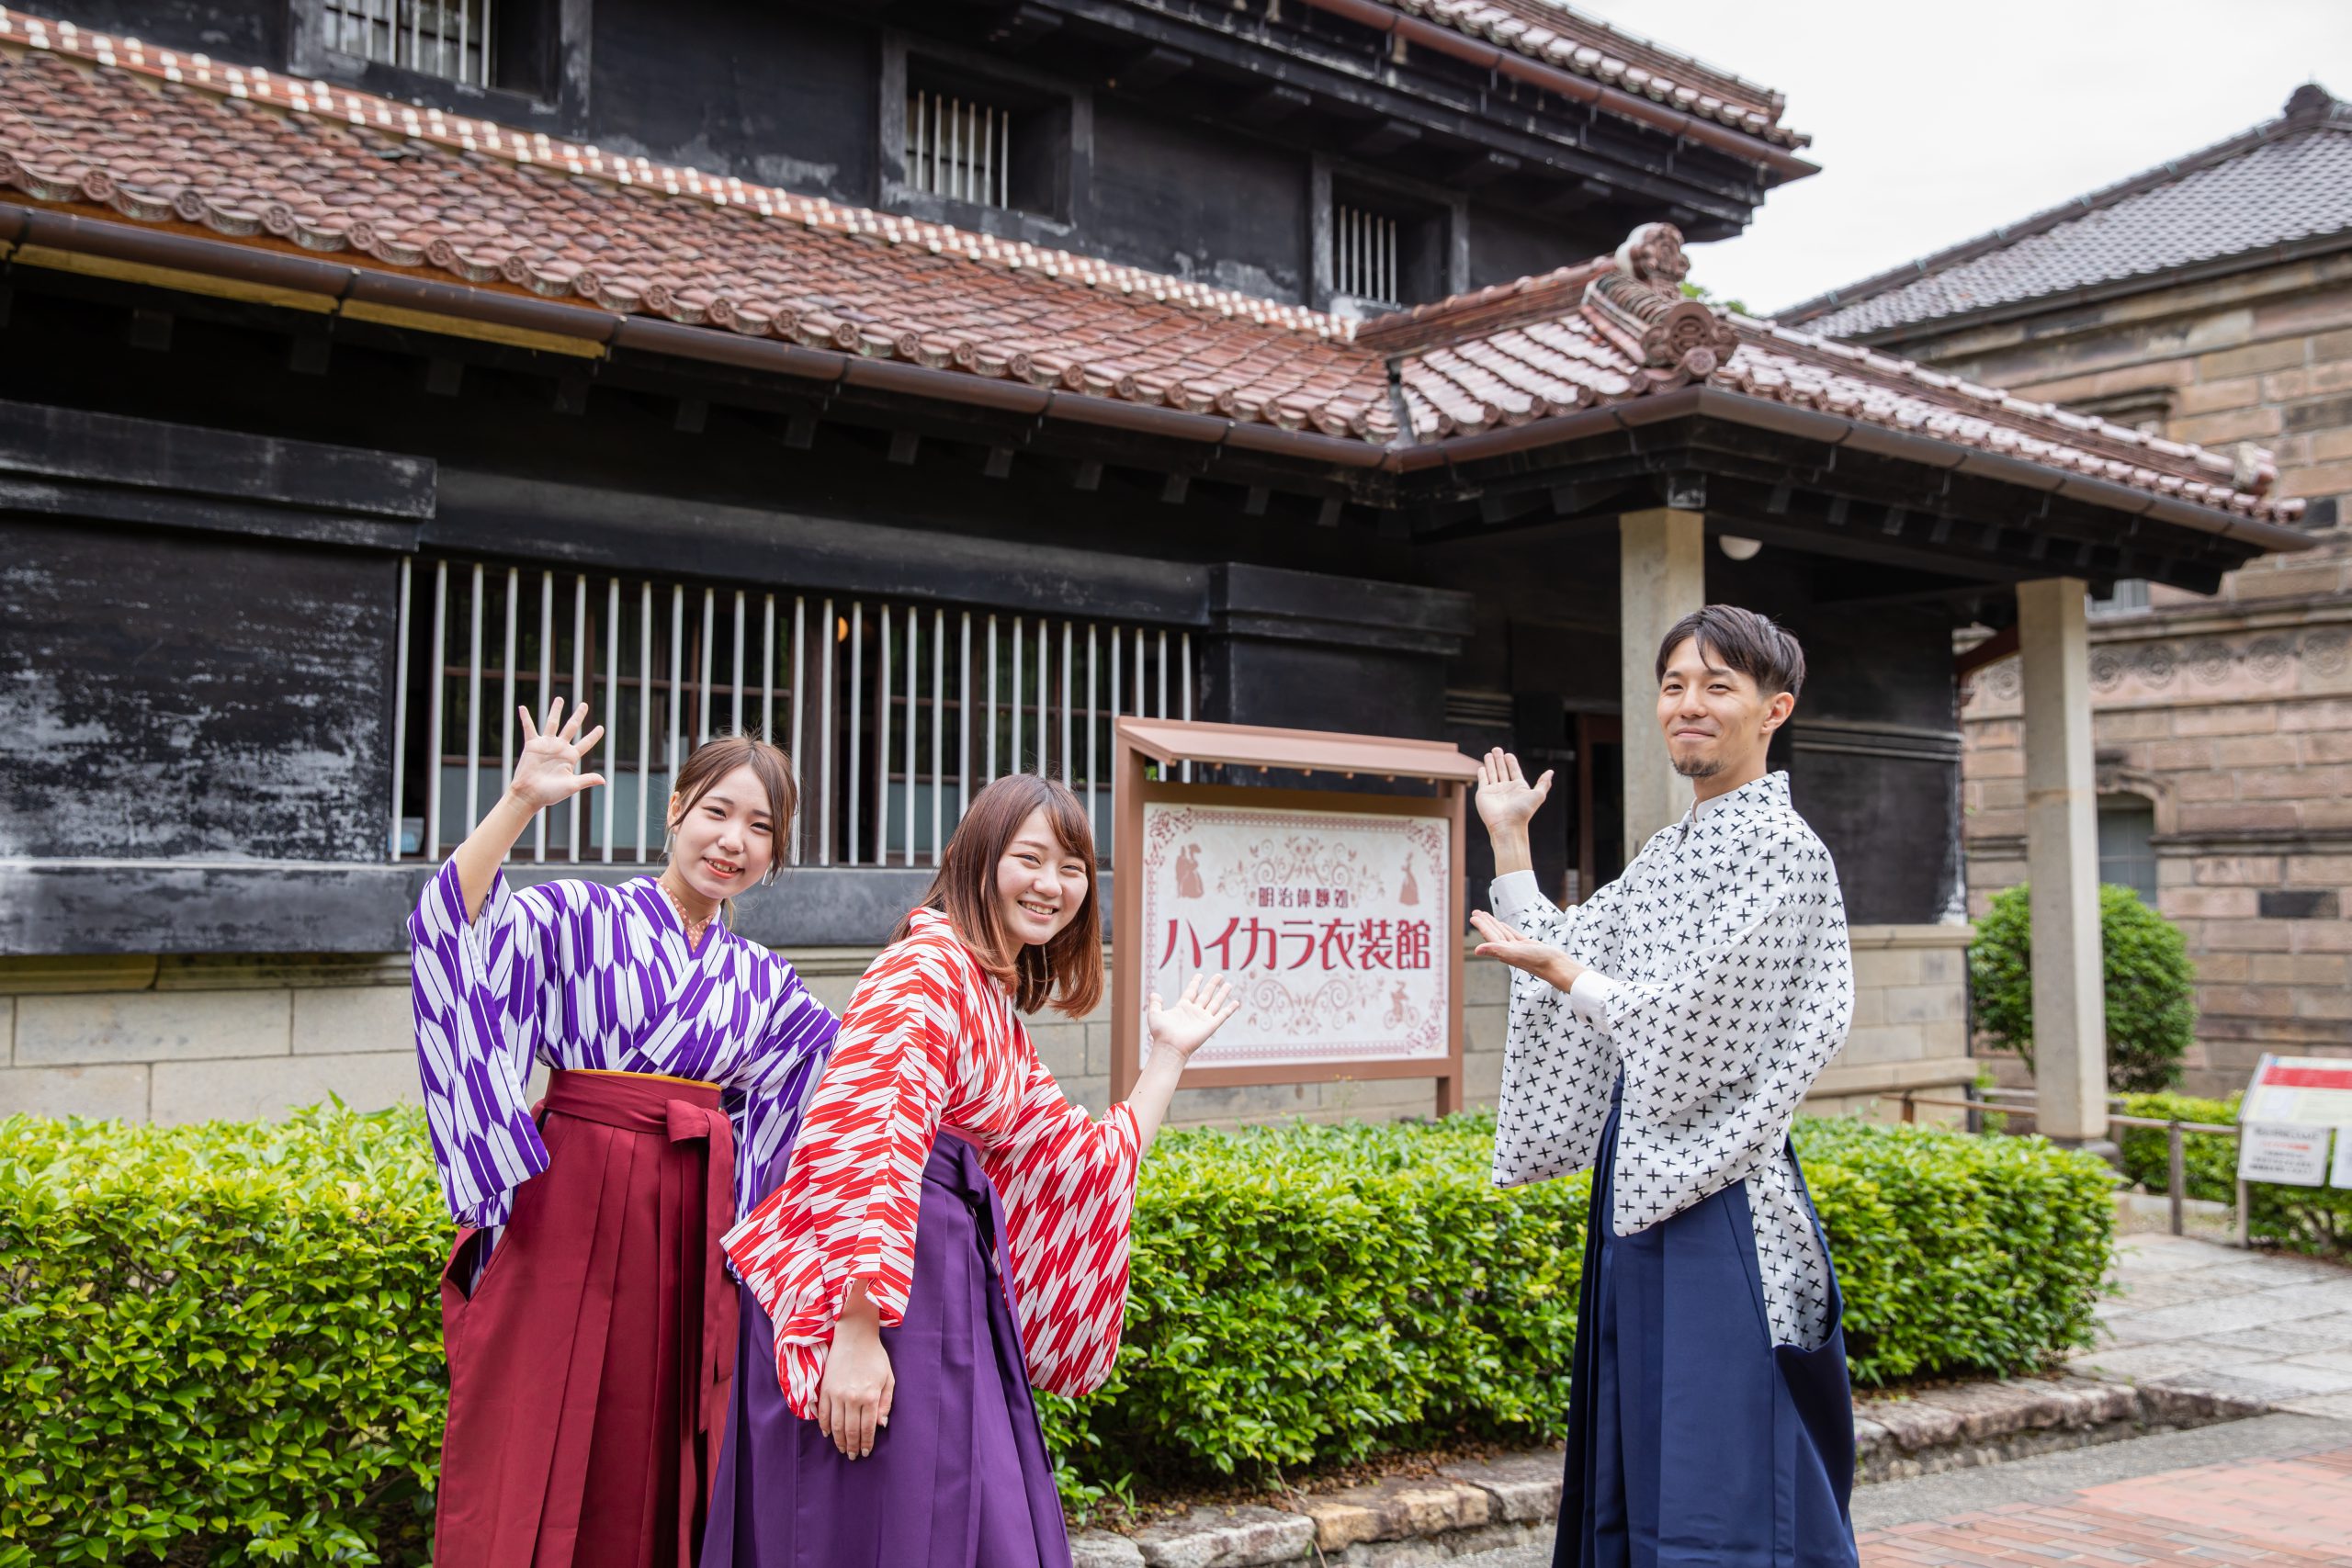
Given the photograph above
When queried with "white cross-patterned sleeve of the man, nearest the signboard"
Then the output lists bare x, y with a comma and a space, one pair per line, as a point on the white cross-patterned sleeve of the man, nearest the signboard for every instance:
1556, 1066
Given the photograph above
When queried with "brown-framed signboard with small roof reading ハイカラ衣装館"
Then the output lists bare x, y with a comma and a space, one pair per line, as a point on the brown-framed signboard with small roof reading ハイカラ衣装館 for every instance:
1337, 913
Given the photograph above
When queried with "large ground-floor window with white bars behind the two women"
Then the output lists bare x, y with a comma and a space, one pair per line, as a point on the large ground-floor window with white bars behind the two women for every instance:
893, 713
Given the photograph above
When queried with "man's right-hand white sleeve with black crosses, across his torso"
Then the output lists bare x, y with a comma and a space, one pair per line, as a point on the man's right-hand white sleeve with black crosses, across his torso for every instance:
1720, 1057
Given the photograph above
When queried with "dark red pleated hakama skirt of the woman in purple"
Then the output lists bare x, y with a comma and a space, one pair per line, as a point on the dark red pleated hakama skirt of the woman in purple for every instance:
592, 1362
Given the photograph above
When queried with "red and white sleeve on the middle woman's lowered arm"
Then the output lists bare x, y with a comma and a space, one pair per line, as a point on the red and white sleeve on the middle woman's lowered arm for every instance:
853, 1186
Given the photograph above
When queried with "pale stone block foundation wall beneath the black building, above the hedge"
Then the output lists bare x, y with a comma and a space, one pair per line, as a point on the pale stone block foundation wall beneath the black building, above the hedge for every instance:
194, 1040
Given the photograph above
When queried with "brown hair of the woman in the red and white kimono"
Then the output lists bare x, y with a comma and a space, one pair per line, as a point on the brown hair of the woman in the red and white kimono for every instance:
1069, 970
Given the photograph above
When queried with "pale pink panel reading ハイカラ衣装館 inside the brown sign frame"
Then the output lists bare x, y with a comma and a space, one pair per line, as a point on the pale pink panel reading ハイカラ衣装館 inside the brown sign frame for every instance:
1330, 925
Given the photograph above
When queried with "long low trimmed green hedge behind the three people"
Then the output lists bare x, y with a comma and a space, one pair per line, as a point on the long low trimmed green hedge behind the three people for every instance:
225, 1343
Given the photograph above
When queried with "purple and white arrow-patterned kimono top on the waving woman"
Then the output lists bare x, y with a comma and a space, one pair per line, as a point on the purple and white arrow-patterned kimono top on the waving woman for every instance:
582, 974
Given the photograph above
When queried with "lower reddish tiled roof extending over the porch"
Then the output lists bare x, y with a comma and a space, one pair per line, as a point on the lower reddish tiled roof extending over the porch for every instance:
105, 128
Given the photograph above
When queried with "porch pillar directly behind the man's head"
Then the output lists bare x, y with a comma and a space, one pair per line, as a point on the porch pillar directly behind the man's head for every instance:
1662, 579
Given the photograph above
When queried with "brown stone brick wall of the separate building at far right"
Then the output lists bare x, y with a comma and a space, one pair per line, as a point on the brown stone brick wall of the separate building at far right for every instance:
2233, 716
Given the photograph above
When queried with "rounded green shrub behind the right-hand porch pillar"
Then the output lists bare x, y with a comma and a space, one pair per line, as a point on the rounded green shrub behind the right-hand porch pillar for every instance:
2149, 977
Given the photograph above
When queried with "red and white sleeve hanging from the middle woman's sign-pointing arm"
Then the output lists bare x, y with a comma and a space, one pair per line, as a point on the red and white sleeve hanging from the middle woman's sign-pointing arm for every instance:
1069, 1188
